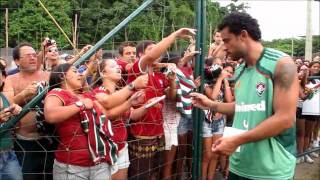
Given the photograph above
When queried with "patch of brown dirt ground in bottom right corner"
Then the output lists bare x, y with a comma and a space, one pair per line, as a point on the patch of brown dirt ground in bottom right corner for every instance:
307, 171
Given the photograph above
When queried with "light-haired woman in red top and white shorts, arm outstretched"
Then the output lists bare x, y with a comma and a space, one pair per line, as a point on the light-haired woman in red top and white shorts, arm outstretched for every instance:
106, 80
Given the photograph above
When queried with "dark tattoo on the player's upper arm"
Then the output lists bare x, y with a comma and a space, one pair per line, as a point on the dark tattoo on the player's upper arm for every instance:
286, 75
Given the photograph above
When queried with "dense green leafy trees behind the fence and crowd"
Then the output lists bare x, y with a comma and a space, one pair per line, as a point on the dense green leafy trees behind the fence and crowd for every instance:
29, 22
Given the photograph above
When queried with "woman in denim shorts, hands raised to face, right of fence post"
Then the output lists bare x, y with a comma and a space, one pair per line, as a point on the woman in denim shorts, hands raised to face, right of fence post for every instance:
214, 123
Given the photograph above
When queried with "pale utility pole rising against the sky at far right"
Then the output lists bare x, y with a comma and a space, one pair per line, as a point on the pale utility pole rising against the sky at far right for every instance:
308, 47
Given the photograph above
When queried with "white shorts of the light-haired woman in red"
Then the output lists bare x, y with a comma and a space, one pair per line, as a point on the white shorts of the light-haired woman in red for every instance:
122, 161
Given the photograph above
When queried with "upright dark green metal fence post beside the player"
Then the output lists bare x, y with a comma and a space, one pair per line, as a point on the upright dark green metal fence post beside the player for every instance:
197, 113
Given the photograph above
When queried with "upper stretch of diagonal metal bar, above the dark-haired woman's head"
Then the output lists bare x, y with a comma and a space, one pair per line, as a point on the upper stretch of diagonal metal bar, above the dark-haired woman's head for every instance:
112, 32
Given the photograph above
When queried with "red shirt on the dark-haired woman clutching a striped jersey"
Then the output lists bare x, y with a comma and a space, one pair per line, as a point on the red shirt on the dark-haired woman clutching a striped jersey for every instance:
73, 147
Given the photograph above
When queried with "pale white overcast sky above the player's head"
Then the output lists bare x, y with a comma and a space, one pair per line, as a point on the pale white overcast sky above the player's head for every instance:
281, 19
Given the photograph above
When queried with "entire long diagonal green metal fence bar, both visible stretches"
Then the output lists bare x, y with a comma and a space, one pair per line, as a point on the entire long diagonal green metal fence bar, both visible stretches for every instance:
40, 96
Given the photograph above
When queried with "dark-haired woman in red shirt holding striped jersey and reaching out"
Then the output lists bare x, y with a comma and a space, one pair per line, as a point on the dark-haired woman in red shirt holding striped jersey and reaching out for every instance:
77, 115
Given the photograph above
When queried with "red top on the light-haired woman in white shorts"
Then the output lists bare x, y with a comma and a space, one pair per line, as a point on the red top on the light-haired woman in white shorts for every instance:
118, 125
